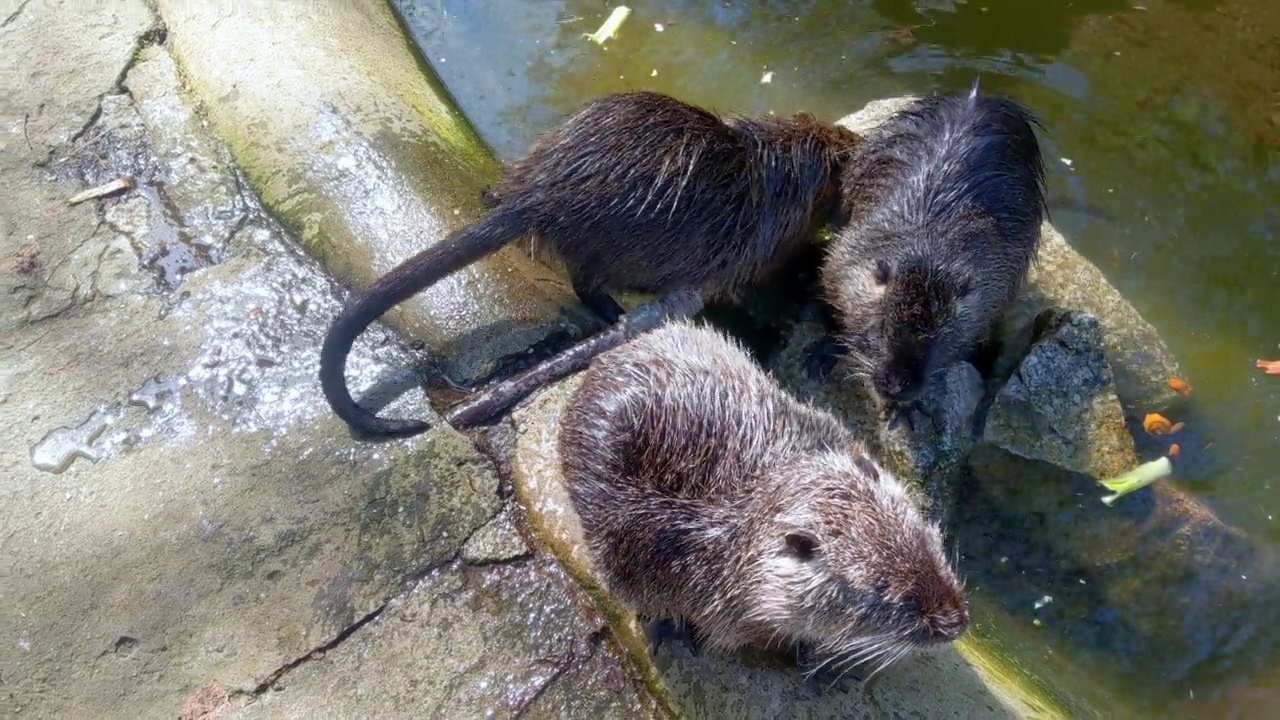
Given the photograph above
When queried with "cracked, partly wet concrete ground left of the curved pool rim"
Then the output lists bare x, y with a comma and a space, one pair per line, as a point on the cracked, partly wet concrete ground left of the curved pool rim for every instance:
186, 528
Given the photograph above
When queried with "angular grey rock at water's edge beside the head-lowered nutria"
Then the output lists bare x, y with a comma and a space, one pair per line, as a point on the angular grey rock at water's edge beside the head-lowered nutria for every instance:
1060, 404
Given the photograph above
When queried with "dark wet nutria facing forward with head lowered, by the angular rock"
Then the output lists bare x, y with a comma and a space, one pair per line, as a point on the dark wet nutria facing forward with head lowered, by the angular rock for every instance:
944, 207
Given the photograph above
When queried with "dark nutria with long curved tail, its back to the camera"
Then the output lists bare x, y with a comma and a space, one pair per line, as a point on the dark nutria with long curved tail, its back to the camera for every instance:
637, 192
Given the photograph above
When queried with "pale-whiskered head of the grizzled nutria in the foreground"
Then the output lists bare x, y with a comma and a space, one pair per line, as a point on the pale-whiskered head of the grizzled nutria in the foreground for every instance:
849, 566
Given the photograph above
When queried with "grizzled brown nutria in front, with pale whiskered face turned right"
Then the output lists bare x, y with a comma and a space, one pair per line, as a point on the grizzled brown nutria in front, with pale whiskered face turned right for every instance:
711, 496
